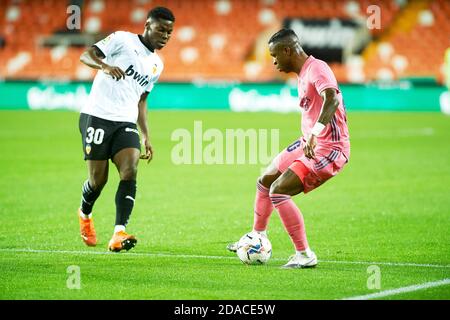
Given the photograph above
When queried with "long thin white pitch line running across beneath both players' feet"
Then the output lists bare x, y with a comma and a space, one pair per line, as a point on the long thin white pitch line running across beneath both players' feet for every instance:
400, 264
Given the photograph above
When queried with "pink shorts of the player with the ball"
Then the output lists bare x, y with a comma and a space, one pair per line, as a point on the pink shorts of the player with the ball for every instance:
312, 172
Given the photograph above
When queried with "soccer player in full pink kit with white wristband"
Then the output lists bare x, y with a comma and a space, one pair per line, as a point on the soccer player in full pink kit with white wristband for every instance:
319, 154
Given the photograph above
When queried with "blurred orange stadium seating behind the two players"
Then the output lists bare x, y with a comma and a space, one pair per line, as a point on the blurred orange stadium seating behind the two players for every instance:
218, 39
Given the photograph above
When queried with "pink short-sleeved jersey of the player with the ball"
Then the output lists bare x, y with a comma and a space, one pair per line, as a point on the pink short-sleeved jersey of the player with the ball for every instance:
314, 77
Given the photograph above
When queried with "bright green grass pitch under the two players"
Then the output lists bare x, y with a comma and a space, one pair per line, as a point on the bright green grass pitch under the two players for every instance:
390, 207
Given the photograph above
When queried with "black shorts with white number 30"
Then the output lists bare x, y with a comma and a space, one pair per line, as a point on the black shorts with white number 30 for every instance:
102, 139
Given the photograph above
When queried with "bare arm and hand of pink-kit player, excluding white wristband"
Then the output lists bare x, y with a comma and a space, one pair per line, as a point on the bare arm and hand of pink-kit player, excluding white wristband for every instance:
329, 107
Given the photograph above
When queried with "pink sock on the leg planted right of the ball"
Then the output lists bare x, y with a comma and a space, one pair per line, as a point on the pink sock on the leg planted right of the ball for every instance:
292, 219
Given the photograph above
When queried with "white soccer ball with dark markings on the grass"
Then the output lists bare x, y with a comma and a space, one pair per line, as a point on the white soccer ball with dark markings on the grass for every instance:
254, 248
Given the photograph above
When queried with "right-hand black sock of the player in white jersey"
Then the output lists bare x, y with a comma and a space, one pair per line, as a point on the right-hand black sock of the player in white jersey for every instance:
126, 192
